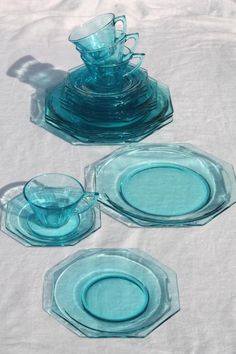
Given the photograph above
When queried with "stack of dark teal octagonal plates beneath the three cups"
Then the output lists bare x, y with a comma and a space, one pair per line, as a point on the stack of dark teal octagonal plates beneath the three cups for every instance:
87, 113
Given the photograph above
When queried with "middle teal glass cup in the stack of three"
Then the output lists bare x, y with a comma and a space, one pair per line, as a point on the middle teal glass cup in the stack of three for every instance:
108, 55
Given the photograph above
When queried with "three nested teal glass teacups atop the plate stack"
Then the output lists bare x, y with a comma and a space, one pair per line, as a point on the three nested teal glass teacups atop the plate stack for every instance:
104, 50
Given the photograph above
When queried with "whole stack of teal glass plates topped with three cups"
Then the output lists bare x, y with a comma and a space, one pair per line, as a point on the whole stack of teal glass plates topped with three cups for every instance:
110, 99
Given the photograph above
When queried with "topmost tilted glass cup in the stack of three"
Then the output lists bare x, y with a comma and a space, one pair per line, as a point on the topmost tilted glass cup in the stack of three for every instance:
97, 33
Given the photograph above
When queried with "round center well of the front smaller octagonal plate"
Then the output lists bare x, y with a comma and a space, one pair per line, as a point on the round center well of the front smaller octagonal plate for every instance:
114, 297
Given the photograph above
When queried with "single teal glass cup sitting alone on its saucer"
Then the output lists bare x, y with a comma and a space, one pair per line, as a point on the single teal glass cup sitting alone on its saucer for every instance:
55, 198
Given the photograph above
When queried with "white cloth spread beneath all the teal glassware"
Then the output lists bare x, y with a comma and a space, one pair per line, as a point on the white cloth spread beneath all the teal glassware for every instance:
191, 46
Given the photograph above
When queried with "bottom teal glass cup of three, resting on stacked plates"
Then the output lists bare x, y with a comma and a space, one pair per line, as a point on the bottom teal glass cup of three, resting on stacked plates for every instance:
112, 74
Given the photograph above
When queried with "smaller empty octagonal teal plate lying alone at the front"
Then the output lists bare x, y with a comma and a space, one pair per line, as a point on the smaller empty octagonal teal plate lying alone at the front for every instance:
111, 293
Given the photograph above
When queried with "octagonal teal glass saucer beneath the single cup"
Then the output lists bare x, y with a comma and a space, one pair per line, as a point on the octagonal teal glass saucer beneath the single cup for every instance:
21, 223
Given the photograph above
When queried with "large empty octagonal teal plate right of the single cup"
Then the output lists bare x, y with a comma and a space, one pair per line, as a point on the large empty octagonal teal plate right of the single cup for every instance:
159, 185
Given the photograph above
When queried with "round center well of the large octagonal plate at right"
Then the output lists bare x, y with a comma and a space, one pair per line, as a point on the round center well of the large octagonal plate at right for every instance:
165, 190
